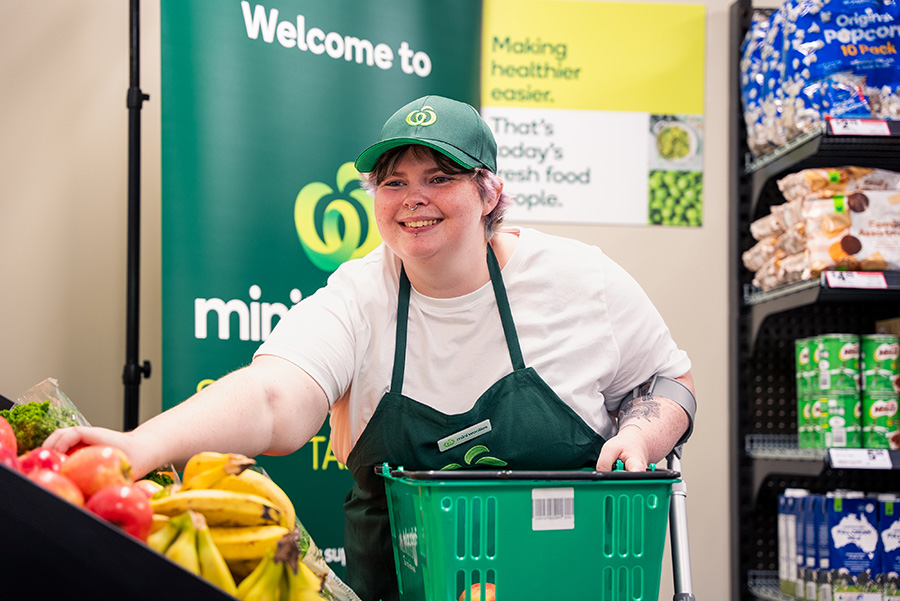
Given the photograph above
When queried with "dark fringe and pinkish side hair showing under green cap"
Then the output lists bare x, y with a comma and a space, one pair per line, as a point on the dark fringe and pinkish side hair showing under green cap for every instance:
487, 182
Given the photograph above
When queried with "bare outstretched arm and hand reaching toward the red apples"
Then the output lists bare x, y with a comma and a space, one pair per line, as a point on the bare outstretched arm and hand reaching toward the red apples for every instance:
270, 406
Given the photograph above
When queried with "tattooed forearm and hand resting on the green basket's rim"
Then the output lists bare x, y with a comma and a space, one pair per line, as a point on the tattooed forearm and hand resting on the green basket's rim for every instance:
649, 428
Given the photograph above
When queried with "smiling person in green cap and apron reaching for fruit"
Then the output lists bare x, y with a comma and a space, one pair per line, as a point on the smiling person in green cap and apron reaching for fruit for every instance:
455, 331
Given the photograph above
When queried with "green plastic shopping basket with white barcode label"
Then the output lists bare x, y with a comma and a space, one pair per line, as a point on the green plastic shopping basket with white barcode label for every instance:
566, 535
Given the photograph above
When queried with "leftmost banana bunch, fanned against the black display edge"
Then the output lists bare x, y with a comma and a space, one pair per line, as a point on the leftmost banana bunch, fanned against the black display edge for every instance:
186, 540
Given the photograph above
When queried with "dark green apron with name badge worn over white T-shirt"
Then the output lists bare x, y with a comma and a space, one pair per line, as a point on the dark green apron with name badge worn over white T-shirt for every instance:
530, 427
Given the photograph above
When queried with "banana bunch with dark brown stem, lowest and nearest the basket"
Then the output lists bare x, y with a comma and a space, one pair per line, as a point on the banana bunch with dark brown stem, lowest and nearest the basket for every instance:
281, 576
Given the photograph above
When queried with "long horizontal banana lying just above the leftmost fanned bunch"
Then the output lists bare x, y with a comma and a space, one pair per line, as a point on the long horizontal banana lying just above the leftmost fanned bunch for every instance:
220, 507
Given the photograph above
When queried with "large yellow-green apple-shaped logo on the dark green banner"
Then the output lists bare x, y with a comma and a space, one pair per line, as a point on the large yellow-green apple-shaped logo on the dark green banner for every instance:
341, 220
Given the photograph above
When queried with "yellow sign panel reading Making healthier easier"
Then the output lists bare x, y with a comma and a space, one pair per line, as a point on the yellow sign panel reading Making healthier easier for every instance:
599, 56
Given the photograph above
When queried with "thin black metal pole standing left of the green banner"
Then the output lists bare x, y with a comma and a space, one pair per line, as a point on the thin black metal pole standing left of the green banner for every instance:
133, 372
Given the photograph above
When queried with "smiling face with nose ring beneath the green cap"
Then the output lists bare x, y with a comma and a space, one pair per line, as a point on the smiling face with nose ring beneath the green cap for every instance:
446, 228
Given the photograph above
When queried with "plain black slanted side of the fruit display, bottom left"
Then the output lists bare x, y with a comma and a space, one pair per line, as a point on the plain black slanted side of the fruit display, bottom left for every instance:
55, 550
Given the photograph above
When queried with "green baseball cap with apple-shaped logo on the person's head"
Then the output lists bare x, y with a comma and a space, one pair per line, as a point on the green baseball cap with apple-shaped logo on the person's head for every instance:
451, 127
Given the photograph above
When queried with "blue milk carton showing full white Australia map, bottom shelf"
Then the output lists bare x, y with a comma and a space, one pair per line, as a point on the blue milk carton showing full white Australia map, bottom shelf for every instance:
854, 550
